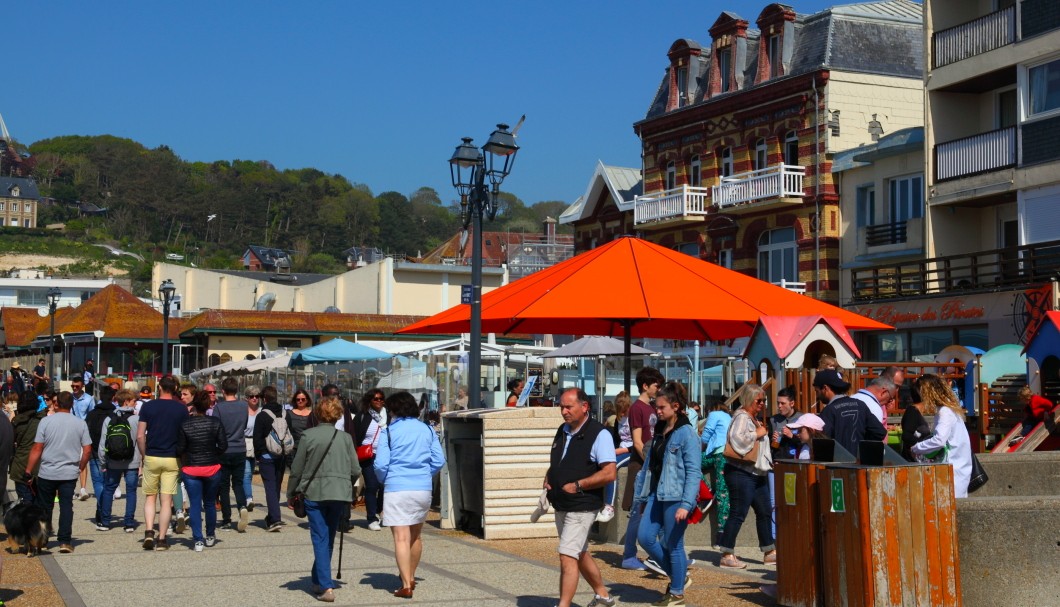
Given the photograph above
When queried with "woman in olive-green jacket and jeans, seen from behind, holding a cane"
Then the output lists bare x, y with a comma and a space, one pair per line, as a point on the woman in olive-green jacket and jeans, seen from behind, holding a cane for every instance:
325, 470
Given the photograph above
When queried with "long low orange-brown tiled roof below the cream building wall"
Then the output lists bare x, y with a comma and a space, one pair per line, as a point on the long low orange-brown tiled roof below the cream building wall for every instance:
295, 323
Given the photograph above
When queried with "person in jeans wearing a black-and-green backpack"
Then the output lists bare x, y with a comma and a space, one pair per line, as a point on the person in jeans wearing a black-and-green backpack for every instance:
119, 459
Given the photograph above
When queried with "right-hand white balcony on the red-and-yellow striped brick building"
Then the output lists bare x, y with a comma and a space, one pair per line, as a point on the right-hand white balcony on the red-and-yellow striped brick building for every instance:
773, 187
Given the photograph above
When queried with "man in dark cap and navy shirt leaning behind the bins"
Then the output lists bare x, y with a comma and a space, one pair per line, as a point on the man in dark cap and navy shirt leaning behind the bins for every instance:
847, 421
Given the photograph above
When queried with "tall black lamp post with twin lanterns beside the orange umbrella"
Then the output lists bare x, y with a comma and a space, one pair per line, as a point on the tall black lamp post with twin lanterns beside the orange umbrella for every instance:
470, 169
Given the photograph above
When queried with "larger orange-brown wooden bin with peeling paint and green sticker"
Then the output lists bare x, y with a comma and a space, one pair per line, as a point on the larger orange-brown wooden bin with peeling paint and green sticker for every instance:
889, 537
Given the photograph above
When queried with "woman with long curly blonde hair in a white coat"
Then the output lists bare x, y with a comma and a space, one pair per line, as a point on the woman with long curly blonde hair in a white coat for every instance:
950, 434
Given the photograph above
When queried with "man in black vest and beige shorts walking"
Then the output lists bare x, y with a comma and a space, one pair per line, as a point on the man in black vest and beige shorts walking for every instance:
582, 465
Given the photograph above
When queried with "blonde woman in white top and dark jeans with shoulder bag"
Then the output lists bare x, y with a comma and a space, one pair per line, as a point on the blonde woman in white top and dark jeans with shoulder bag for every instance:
748, 468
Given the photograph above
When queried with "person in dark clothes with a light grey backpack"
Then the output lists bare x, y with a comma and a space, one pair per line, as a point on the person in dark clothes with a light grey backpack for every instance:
273, 443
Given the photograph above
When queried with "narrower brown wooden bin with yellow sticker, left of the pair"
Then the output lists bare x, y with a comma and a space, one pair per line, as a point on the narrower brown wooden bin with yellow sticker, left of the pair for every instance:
799, 535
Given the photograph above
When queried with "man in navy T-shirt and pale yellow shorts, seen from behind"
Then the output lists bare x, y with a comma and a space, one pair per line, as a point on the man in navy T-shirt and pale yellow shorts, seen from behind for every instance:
156, 438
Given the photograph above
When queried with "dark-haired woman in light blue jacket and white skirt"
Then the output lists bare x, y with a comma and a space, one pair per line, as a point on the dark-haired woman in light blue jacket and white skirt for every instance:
409, 456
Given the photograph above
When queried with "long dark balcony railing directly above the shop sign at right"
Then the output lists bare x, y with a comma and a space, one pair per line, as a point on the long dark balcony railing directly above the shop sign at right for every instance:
994, 271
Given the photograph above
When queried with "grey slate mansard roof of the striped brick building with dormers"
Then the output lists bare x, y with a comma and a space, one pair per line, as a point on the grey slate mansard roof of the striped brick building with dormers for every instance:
884, 39
